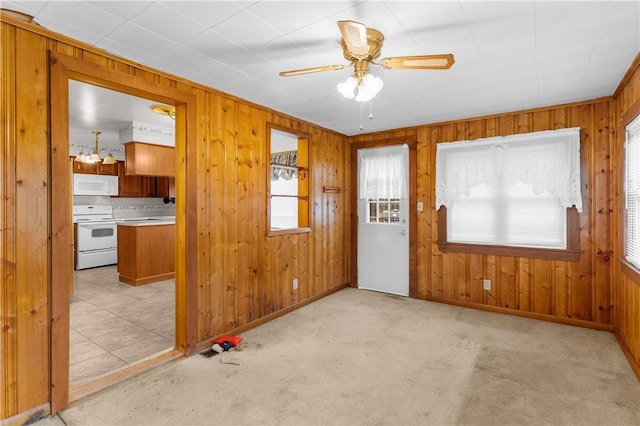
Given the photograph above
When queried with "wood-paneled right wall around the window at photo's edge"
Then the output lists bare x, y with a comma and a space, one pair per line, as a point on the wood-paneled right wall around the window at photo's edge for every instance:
625, 291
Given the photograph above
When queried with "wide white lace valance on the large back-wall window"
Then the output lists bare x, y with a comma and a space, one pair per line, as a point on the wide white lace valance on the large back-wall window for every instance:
549, 161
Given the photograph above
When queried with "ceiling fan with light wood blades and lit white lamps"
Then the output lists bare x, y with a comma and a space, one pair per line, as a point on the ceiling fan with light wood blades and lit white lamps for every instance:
361, 46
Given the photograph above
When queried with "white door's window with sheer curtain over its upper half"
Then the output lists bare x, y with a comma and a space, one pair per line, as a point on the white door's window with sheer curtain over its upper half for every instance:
383, 182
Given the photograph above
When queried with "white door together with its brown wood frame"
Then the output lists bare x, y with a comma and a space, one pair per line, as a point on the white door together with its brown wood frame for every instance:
384, 224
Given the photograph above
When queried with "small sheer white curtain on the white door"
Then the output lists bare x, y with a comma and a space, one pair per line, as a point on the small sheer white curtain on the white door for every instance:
383, 176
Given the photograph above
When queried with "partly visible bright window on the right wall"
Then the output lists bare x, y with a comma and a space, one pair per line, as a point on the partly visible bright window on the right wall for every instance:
632, 192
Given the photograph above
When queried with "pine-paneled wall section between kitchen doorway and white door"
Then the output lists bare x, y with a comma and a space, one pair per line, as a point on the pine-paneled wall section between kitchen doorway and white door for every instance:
250, 275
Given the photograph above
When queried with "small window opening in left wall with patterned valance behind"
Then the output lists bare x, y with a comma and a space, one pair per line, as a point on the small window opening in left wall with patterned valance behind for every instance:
288, 182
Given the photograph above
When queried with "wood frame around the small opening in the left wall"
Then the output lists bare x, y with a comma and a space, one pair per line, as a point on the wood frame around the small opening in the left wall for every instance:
304, 184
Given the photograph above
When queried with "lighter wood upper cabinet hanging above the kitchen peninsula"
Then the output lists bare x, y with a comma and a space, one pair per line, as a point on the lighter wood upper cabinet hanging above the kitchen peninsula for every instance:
144, 159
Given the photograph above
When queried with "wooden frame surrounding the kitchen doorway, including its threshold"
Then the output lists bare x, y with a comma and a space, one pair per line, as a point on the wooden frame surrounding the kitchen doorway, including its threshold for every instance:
65, 69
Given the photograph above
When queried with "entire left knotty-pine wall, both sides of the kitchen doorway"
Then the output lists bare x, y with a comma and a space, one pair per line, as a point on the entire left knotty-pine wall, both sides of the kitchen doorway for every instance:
242, 275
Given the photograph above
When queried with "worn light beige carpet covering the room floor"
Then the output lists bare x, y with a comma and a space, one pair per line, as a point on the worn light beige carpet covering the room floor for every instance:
359, 357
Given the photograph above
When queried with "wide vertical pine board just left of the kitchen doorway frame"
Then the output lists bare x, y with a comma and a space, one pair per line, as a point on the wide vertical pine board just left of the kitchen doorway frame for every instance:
32, 227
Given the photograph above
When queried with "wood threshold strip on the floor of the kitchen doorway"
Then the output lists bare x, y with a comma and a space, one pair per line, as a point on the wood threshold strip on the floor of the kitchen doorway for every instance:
79, 392
